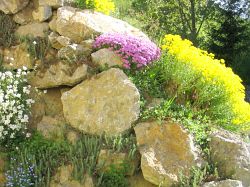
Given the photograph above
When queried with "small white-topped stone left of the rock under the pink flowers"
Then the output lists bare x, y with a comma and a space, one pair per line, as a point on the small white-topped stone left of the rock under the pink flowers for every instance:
74, 53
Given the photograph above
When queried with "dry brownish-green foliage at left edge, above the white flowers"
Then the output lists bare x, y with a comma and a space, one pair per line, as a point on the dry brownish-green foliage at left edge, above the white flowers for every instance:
7, 30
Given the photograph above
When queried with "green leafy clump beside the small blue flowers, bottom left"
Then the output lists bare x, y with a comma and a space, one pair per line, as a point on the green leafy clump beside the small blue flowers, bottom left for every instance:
45, 155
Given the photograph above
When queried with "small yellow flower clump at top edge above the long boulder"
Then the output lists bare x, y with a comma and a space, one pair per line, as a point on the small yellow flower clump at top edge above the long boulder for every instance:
104, 6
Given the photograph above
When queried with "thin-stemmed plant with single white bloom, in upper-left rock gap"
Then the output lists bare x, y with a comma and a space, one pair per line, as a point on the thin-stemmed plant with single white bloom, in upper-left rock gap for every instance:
37, 47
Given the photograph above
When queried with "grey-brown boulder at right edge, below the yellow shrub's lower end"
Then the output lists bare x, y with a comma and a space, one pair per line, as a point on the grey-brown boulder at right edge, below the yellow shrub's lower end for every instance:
231, 155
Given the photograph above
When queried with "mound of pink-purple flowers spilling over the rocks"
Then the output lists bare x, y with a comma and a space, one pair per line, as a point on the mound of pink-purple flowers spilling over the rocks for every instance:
135, 52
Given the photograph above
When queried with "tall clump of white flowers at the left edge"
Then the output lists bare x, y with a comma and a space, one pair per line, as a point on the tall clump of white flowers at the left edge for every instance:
15, 106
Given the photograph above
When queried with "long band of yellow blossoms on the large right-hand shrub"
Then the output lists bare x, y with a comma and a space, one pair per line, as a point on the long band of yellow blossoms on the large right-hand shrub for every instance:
213, 71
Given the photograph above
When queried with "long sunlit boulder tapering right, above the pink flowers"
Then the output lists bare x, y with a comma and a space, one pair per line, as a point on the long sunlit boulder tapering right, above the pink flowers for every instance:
81, 25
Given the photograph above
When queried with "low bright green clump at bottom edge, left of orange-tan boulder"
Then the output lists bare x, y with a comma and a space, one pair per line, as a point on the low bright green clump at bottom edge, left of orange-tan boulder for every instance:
115, 177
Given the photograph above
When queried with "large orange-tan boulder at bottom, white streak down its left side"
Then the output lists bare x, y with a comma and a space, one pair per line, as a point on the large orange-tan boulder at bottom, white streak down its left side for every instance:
166, 150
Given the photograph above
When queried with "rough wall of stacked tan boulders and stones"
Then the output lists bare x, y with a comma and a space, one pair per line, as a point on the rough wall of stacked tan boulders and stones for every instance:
74, 97
